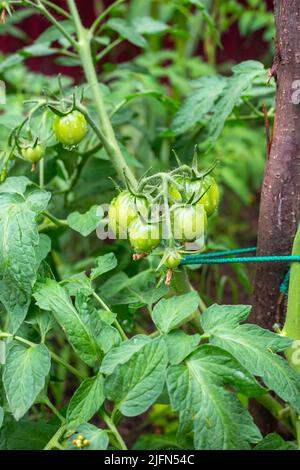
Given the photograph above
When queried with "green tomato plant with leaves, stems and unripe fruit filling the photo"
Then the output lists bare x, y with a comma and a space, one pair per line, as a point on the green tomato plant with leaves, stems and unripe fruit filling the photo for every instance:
137, 167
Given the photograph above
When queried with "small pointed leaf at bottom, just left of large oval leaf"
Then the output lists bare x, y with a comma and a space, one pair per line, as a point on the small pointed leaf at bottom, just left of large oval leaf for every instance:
86, 401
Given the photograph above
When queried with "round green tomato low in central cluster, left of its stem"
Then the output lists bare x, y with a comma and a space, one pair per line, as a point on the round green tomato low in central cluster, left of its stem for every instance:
144, 237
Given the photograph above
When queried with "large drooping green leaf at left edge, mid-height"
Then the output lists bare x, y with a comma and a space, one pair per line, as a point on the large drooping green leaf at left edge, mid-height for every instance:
19, 245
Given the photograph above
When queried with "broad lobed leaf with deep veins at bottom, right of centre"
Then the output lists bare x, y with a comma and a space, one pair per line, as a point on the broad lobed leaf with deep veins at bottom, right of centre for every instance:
216, 417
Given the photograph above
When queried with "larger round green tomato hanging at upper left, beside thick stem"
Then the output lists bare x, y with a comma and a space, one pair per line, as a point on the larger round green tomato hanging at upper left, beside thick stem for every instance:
70, 129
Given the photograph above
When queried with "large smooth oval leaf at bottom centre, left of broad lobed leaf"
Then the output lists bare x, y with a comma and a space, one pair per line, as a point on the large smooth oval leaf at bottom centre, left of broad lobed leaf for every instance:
135, 385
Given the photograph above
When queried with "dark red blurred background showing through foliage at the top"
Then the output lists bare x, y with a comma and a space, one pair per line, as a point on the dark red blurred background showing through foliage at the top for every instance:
235, 47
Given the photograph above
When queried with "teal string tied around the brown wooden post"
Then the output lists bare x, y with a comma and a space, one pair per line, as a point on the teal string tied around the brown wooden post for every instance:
226, 257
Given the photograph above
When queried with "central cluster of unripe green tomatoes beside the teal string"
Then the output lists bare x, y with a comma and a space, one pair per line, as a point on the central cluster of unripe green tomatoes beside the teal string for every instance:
191, 200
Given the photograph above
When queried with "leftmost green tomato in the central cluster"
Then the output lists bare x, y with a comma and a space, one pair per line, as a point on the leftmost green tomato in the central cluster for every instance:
123, 210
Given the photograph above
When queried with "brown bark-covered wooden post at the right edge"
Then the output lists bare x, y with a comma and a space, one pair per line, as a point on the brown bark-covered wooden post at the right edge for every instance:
280, 197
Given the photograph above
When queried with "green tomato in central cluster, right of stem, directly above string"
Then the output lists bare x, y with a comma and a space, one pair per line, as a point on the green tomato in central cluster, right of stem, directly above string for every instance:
189, 222
